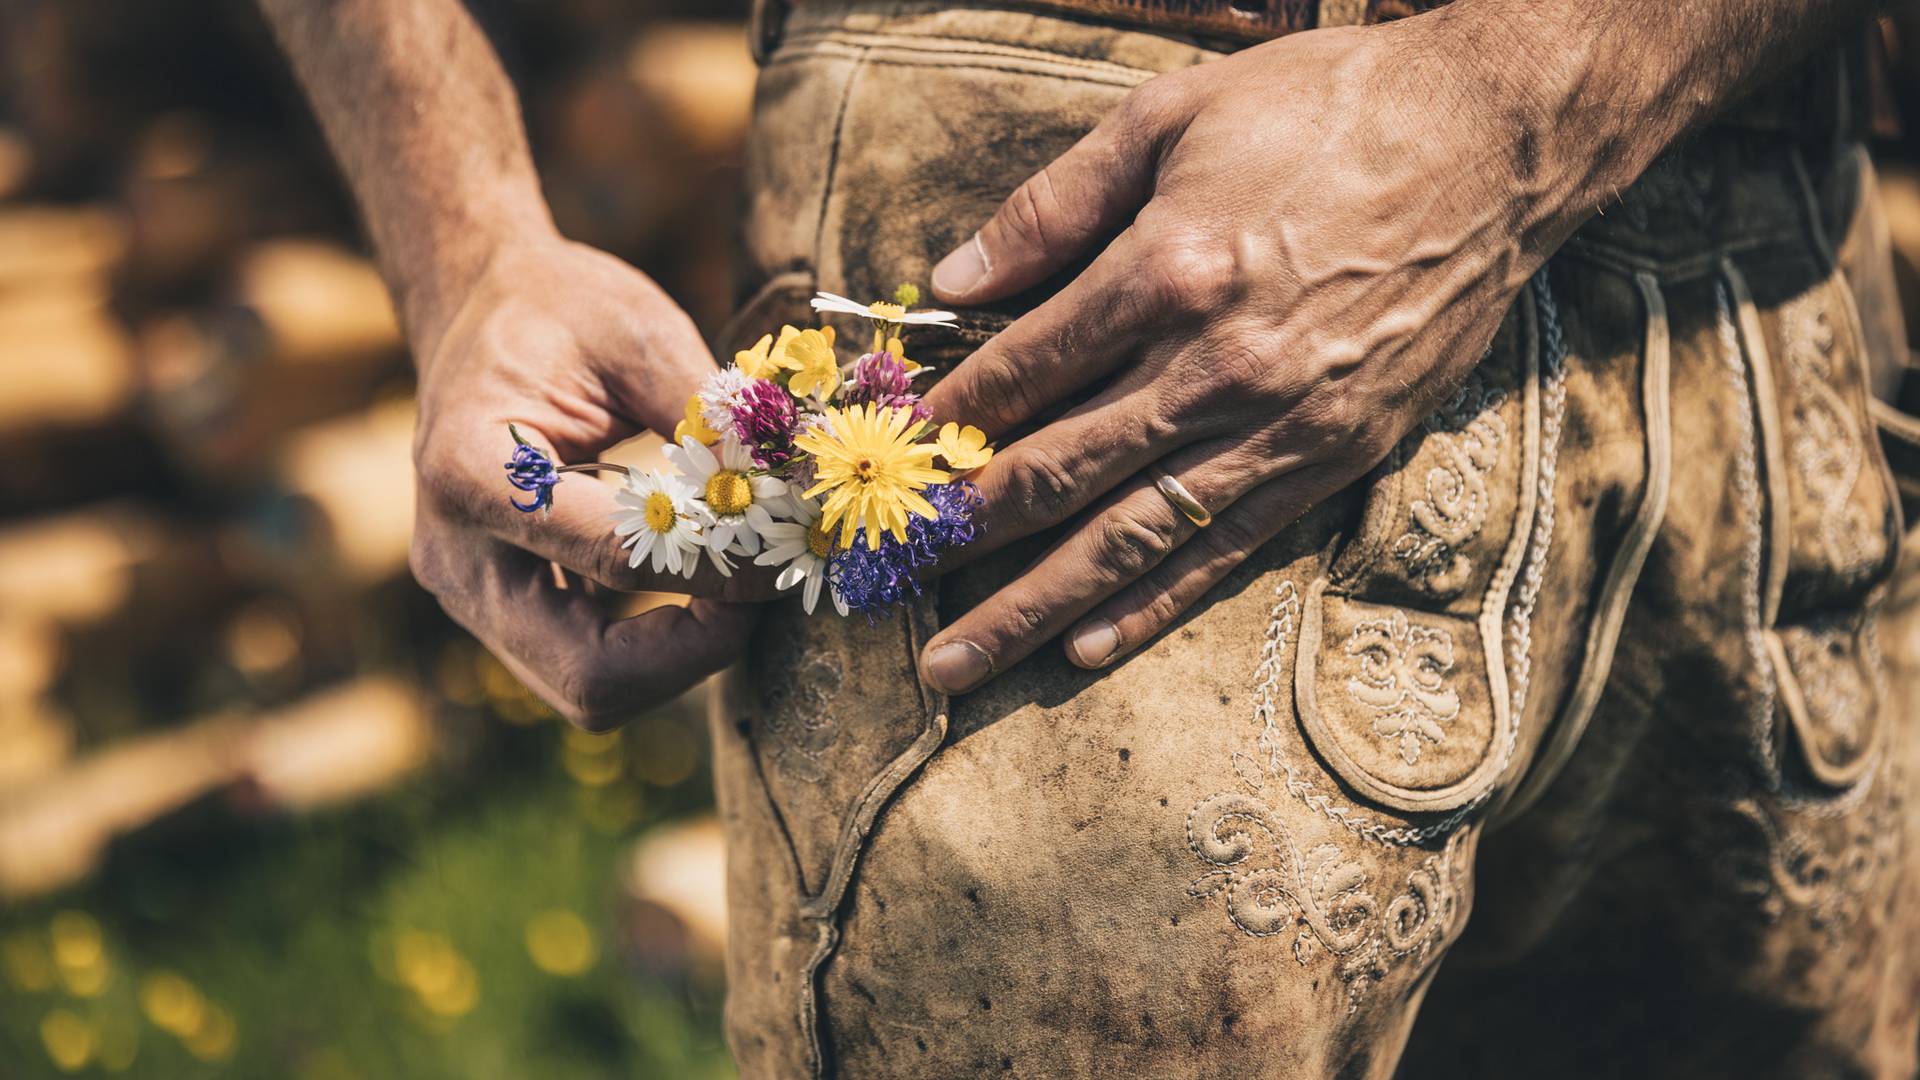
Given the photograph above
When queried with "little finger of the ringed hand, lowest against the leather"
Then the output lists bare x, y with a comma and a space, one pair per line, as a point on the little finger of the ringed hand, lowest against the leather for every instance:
1151, 604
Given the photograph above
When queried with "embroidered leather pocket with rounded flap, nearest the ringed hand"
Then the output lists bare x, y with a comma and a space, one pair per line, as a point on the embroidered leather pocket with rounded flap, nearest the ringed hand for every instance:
1401, 681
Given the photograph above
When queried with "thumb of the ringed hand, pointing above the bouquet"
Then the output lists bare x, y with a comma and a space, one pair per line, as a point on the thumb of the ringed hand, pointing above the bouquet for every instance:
1053, 218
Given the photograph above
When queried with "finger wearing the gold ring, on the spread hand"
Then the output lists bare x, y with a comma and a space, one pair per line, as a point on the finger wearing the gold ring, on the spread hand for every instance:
1120, 543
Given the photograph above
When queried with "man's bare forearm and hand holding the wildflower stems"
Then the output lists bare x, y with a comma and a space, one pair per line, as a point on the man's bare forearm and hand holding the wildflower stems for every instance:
510, 324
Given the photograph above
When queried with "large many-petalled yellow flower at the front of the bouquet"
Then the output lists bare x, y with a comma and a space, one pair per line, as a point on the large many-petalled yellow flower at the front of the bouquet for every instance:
873, 468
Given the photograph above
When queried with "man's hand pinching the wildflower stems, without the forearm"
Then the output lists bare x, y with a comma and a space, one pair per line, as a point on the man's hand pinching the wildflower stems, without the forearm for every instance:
581, 351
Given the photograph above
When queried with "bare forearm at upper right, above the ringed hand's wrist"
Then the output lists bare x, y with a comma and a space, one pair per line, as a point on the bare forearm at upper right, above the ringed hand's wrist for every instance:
1591, 91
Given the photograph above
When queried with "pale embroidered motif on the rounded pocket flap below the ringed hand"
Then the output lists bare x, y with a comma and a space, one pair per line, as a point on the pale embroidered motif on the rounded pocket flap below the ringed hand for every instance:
1401, 681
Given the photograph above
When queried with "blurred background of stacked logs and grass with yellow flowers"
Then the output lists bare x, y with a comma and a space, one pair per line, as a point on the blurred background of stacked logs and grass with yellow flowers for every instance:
264, 810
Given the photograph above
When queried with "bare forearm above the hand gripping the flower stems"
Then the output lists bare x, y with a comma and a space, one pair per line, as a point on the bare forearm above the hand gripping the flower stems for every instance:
427, 130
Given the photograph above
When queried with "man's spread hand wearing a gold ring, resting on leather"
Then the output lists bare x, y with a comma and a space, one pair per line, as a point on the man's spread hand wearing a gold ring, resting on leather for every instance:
1316, 241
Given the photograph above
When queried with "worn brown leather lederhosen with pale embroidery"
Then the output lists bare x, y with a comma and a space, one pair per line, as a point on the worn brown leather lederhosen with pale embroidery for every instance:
1612, 652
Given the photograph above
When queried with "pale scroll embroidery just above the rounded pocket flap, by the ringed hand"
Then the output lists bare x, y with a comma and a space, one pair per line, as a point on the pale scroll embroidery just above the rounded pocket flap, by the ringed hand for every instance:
1468, 433
